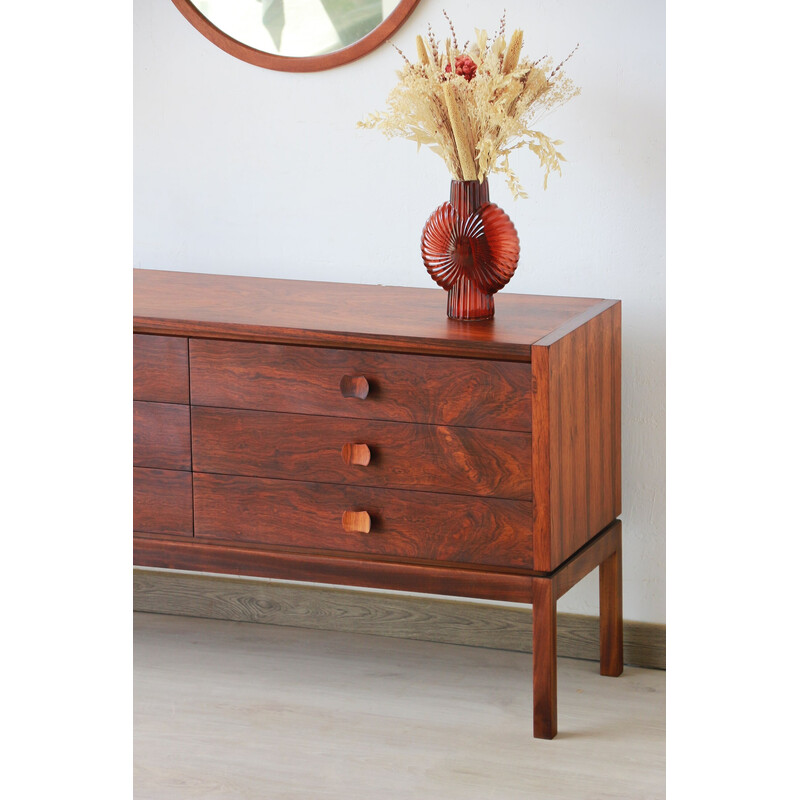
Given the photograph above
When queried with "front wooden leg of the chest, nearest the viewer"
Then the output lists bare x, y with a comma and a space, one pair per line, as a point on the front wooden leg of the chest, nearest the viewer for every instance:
544, 659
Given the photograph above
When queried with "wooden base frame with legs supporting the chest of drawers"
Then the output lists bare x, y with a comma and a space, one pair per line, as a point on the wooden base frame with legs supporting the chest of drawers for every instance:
542, 590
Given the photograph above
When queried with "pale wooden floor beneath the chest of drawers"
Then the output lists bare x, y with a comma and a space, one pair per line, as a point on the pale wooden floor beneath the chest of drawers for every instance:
240, 710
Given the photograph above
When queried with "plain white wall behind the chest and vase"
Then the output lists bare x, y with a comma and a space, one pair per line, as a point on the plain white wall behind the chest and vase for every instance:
242, 170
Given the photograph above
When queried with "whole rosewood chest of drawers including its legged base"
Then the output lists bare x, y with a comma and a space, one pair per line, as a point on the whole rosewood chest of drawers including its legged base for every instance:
355, 435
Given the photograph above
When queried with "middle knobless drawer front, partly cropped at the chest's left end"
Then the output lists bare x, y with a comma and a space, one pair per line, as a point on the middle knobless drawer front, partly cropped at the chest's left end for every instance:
161, 436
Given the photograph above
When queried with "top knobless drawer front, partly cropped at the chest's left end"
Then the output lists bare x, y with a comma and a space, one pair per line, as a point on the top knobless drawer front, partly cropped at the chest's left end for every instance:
160, 368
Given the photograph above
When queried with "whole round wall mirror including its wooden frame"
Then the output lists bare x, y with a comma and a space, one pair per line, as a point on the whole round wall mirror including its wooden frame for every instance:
297, 35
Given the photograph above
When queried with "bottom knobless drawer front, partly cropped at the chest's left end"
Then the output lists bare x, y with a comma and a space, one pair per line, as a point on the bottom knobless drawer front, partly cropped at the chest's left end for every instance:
162, 501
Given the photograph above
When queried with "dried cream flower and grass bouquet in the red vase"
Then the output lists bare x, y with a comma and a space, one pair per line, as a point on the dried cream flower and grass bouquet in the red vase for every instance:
474, 105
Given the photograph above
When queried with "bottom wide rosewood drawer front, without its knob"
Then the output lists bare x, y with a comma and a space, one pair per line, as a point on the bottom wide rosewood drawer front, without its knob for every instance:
414, 525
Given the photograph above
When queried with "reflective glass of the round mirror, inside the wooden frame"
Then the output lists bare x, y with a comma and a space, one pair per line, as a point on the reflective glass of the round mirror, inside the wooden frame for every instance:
296, 28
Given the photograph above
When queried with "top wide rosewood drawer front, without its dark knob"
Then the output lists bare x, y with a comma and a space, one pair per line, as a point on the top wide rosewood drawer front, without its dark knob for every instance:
404, 388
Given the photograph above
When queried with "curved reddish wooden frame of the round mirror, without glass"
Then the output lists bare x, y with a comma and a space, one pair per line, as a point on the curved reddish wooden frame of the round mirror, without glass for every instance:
297, 63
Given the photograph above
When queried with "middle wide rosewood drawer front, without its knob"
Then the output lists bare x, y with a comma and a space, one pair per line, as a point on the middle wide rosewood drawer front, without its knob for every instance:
402, 455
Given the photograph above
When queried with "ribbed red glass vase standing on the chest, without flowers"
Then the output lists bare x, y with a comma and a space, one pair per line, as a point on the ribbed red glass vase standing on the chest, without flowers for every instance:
470, 248
